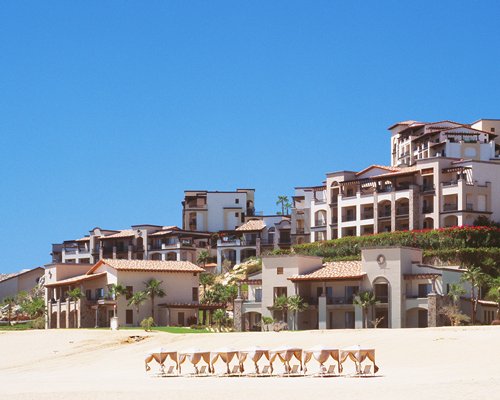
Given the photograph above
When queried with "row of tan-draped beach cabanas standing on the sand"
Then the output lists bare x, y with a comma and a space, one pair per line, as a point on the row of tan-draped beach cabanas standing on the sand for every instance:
294, 361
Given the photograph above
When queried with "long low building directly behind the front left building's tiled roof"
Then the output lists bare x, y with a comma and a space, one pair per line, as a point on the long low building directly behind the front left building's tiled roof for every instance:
141, 242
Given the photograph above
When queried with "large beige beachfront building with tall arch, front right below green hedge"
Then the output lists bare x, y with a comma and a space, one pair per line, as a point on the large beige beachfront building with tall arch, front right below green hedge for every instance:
409, 293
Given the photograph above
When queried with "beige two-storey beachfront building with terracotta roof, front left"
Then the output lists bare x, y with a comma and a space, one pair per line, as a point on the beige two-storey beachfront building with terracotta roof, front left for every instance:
179, 280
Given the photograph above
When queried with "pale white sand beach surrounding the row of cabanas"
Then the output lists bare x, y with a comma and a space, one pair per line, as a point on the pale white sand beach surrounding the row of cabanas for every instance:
440, 363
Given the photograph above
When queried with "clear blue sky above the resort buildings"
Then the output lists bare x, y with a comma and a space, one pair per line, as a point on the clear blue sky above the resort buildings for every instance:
110, 109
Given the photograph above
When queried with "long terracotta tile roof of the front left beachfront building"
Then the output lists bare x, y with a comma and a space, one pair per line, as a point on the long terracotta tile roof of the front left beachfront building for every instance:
148, 265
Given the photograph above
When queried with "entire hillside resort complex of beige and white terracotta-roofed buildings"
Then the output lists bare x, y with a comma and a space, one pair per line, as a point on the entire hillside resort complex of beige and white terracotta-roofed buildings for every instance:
442, 174
